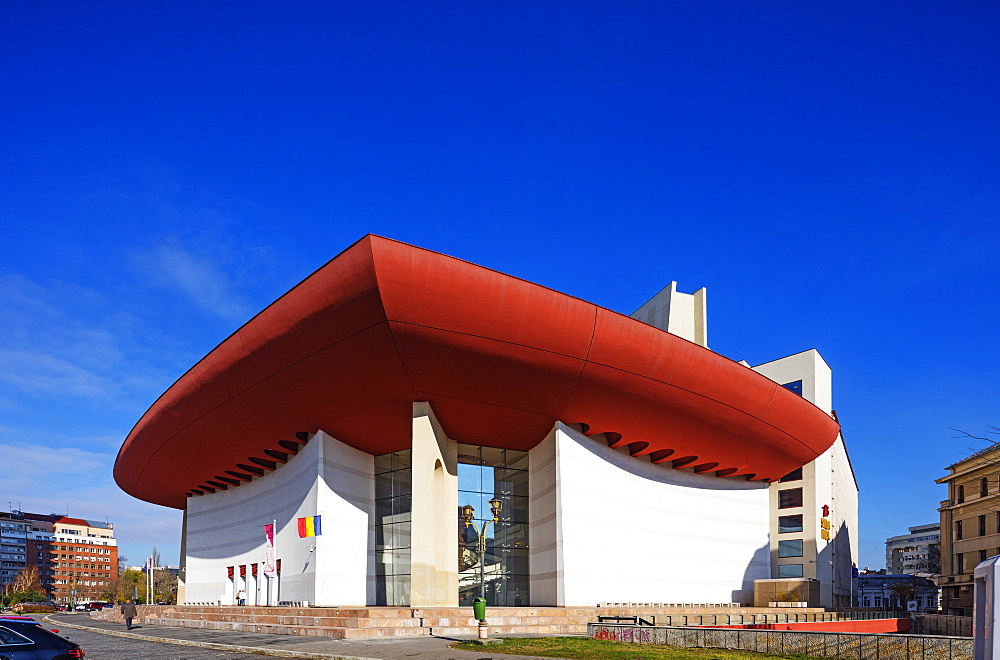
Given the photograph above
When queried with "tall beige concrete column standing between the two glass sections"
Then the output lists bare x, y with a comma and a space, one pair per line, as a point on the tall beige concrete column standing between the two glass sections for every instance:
434, 527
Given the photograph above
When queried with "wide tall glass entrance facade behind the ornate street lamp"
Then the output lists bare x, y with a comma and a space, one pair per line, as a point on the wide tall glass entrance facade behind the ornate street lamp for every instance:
485, 473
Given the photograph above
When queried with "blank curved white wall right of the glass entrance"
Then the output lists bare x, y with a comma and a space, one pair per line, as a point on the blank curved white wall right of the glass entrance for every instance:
606, 526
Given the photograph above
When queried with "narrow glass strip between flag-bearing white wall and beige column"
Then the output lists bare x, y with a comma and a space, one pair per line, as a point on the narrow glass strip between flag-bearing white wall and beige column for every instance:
392, 528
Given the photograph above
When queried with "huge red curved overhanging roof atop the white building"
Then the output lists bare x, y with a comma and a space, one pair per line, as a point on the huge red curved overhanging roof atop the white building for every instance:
500, 360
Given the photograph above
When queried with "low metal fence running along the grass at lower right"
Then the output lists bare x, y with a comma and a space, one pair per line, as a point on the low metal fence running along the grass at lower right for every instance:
852, 646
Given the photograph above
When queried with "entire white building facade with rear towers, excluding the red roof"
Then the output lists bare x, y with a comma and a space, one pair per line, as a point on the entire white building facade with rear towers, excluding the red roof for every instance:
582, 522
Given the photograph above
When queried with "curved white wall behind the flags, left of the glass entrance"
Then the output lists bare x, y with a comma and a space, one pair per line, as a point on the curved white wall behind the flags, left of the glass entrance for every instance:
326, 478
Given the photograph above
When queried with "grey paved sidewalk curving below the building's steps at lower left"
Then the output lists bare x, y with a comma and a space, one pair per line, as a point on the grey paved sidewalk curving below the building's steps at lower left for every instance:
391, 648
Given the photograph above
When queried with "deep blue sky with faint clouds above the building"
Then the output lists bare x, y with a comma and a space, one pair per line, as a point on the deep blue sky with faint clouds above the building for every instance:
829, 171
